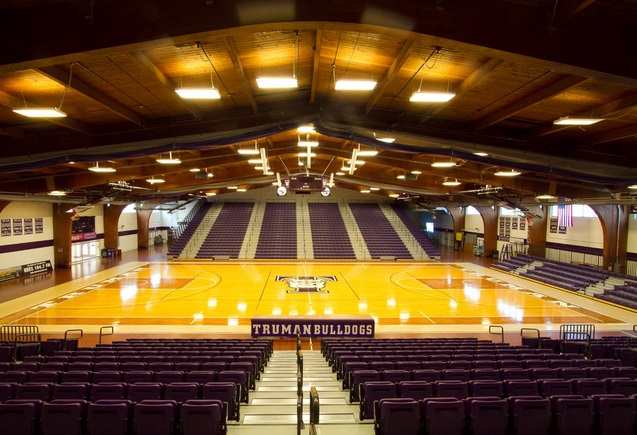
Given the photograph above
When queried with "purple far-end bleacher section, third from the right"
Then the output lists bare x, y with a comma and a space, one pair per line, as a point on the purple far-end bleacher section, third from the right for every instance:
329, 235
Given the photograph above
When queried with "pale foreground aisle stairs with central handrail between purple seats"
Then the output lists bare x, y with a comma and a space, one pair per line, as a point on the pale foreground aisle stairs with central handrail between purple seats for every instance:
272, 406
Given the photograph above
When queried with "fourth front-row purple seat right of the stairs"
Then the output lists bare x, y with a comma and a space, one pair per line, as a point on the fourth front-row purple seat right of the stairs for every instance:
530, 415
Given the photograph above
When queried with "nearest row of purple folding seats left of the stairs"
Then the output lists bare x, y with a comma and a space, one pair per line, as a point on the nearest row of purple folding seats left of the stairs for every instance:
113, 417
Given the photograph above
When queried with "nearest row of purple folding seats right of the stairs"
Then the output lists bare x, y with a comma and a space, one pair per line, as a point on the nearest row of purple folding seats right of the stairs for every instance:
520, 415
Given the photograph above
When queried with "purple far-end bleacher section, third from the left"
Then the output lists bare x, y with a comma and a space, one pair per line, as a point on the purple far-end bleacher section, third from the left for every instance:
278, 232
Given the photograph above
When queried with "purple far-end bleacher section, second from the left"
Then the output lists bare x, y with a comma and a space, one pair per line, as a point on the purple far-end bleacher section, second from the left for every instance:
226, 236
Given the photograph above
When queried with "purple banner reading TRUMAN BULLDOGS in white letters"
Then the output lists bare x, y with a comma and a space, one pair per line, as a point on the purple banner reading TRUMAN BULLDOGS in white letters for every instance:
316, 327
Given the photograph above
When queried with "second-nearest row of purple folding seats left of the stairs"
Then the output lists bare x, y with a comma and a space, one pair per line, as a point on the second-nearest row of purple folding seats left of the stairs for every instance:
227, 392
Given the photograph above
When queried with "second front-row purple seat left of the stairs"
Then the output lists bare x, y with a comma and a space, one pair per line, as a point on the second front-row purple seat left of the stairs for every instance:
154, 417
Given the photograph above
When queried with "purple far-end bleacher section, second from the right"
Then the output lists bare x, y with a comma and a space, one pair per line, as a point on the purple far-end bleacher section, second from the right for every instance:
379, 235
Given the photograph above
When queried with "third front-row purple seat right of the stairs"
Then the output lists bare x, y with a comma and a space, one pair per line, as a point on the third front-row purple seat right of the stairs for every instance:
487, 415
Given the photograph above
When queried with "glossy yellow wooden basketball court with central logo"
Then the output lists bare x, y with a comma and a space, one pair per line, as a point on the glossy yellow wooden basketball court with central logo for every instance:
222, 297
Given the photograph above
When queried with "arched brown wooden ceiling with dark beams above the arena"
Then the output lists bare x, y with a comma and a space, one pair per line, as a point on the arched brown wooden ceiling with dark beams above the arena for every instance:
113, 67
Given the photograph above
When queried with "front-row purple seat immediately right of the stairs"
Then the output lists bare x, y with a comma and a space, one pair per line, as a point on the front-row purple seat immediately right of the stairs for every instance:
397, 416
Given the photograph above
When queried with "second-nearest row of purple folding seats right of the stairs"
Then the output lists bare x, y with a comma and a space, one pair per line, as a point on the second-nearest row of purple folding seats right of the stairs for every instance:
490, 387
